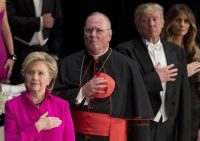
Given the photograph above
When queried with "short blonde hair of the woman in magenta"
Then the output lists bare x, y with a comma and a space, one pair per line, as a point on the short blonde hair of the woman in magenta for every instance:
50, 62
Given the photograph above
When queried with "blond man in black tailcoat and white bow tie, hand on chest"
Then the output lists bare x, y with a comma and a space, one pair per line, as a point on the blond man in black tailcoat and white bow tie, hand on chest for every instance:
163, 66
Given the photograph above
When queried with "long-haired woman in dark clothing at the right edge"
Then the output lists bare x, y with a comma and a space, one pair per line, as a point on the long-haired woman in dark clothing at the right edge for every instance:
180, 28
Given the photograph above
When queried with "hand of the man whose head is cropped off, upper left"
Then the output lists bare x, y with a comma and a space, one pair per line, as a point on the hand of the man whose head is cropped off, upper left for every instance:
48, 20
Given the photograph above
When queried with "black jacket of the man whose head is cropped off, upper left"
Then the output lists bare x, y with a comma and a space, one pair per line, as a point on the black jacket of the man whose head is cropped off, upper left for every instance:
23, 21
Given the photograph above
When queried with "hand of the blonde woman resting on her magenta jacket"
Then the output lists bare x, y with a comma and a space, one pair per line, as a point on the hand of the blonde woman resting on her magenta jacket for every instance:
45, 123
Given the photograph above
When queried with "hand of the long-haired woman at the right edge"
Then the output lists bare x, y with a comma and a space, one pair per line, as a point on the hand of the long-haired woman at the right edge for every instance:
193, 68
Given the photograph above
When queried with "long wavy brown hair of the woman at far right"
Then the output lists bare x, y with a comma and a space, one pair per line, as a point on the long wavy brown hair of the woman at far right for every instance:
189, 39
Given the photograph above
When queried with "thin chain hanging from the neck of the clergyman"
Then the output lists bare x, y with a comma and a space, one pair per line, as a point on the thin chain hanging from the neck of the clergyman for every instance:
82, 63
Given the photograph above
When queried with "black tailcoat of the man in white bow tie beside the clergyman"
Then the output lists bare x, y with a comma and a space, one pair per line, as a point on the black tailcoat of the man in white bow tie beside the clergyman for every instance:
177, 93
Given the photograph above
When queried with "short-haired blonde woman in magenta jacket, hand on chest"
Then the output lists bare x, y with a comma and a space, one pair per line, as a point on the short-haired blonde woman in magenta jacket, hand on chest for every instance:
36, 114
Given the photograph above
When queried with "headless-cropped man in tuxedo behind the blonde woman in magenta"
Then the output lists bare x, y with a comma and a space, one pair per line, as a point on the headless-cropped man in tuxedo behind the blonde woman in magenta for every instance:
36, 26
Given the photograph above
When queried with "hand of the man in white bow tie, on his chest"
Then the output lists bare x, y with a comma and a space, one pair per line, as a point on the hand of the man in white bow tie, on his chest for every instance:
167, 73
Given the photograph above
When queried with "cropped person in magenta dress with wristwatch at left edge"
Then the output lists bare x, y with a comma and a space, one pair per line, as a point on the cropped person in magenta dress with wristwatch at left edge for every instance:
7, 54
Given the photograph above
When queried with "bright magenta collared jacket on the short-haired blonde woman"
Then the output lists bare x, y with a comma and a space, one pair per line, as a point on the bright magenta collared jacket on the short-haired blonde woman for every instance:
21, 115
